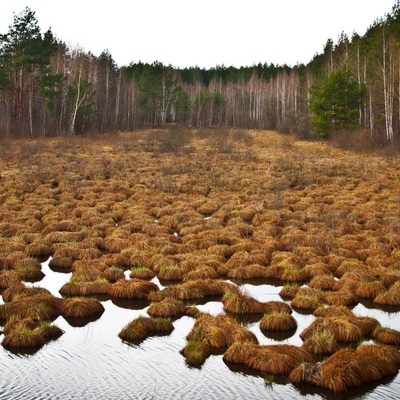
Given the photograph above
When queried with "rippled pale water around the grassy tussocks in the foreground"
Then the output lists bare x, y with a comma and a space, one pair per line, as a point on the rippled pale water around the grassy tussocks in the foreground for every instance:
92, 362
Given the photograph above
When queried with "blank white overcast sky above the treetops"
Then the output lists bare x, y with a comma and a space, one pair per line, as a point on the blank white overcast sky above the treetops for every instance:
205, 33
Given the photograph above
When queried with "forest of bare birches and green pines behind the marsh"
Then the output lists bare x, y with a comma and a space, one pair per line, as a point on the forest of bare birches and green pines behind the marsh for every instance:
47, 88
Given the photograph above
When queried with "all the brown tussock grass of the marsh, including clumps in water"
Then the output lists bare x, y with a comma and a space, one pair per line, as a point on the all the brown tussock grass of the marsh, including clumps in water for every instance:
166, 230
